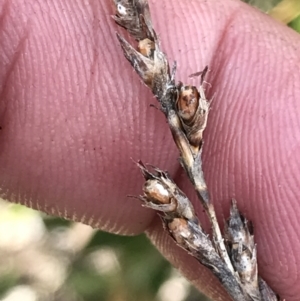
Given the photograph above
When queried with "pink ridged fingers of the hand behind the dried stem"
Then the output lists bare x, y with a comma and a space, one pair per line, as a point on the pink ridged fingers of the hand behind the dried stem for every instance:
73, 113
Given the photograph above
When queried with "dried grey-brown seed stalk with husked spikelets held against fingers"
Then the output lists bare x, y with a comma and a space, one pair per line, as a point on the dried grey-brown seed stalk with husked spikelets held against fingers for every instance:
186, 109
